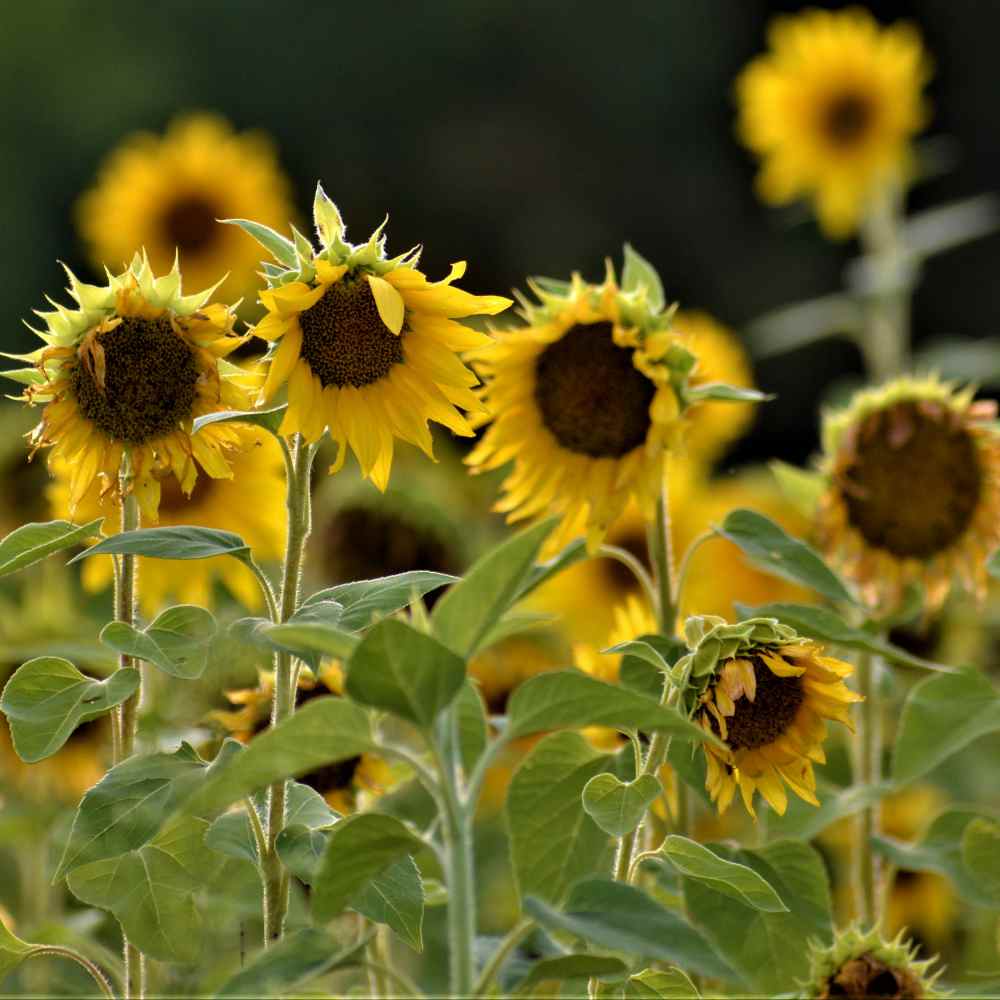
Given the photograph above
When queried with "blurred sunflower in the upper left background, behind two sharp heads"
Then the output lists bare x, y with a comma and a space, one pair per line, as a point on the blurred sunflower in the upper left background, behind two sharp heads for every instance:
169, 192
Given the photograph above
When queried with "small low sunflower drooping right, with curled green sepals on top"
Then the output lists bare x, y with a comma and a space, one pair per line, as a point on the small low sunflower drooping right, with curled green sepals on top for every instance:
767, 694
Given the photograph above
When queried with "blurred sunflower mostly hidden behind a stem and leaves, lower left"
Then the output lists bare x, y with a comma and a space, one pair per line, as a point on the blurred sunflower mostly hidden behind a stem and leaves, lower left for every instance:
344, 785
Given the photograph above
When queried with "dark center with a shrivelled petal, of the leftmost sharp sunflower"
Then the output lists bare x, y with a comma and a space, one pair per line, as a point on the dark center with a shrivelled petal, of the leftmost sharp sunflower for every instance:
148, 383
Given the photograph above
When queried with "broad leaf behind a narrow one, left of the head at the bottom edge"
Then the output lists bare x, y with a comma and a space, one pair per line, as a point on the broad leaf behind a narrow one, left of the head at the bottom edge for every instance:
770, 950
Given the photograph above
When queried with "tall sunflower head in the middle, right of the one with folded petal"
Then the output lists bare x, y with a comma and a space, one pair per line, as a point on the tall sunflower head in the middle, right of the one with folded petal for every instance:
586, 401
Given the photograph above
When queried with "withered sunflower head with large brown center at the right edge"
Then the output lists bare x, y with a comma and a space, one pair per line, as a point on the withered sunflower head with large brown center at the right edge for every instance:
913, 495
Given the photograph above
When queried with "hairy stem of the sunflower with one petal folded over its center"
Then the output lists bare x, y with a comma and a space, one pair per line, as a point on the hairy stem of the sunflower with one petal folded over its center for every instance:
297, 502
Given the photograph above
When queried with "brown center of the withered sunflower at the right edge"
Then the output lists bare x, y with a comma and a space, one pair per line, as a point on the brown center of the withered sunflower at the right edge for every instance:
914, 483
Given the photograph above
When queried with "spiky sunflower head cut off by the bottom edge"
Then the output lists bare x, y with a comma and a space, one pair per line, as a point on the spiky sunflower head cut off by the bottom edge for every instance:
863, 965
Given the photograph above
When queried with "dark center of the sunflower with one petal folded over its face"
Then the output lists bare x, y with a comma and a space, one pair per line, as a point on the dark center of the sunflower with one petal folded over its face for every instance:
344, 339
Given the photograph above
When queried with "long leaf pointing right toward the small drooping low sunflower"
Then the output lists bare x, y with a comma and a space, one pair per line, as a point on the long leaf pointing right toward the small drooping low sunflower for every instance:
561, 699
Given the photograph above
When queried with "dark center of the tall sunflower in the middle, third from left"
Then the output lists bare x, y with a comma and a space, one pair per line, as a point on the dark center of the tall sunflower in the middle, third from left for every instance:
592, 398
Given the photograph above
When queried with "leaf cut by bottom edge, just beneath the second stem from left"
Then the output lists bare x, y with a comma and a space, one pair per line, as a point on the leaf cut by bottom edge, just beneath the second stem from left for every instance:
289, 963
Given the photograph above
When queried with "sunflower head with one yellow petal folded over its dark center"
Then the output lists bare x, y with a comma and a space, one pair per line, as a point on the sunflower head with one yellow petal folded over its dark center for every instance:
367, 345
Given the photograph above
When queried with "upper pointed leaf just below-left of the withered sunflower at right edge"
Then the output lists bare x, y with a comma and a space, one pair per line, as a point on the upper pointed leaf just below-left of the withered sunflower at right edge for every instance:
770, 548
